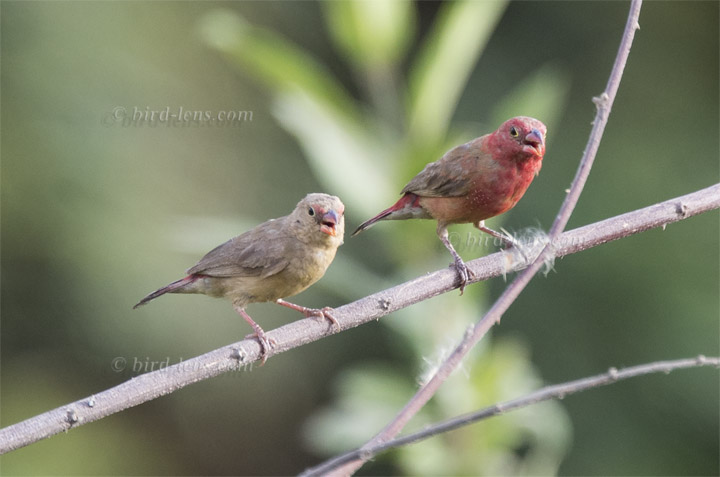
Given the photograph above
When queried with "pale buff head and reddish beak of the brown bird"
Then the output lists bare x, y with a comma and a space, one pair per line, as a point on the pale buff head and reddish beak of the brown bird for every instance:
320, 218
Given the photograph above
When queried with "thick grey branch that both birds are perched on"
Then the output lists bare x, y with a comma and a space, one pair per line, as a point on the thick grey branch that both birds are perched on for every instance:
234, 357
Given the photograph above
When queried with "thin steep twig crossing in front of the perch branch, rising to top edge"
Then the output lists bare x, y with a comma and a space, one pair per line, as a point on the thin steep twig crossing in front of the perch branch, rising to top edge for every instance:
604, 104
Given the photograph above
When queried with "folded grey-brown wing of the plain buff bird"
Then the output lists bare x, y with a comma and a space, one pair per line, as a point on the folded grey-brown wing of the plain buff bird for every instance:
260, 252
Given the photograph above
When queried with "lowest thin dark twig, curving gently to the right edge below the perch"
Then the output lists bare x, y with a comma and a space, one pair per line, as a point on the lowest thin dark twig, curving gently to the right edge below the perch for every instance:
557, 391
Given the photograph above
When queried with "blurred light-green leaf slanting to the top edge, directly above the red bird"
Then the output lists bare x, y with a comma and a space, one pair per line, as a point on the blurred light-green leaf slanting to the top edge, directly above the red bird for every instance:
447, 58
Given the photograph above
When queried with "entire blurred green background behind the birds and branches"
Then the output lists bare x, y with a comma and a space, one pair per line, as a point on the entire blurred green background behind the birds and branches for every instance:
101, 205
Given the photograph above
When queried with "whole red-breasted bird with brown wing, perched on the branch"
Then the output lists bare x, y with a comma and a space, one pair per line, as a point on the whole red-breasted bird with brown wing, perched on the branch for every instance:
473, 182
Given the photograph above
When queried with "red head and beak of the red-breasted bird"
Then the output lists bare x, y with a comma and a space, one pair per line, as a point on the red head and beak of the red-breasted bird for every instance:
523, 136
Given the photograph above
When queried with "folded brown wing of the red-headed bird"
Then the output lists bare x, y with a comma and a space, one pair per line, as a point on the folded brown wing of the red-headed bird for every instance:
448, 176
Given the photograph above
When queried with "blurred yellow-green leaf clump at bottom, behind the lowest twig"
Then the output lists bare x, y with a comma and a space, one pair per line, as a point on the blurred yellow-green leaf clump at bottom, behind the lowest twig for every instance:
498, 371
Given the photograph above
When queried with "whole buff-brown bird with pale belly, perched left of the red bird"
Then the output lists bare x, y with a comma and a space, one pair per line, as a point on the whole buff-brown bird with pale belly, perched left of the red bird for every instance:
276, 259
